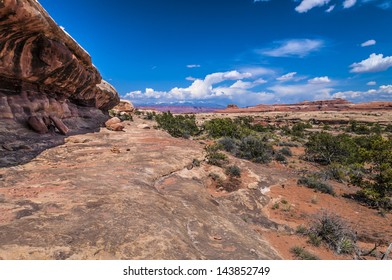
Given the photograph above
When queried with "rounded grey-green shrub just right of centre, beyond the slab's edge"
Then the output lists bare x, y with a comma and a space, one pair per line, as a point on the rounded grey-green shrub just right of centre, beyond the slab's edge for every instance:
255, 149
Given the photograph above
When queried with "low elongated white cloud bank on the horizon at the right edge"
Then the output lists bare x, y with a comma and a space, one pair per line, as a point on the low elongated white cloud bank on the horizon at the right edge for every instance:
383, 93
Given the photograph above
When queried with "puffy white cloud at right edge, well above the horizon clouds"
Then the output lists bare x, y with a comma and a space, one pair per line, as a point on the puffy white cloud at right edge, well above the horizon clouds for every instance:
375, 63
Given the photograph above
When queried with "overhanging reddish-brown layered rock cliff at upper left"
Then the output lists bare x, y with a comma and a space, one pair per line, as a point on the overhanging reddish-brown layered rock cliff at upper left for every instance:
44, 73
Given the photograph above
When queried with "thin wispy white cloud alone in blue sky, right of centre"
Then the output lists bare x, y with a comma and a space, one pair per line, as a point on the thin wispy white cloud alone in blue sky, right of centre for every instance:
295, 47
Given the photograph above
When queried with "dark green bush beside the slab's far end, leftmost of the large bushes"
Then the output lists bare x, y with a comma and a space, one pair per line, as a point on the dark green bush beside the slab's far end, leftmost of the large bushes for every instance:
178, 126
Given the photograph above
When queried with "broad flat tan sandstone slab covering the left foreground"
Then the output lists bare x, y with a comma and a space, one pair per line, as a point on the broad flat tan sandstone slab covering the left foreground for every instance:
129, 195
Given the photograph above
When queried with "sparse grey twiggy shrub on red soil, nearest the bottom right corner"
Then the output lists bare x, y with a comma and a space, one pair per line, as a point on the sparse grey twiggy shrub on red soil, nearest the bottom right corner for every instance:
333, 231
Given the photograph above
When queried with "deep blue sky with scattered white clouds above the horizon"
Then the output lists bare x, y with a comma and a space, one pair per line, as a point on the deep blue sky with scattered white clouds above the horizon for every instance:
245, 52
